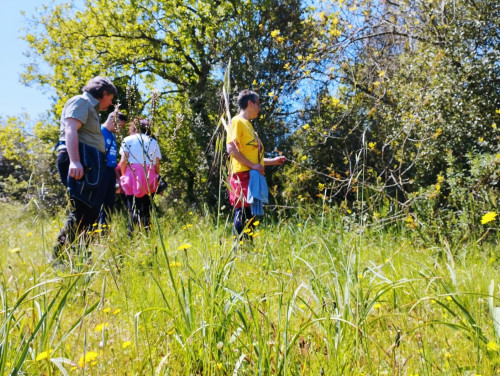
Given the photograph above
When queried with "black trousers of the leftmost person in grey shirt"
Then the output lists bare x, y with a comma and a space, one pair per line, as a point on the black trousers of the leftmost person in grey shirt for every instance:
81, 218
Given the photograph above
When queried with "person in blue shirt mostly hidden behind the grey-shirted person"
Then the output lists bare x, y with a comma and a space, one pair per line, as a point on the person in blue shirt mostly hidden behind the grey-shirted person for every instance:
108, 130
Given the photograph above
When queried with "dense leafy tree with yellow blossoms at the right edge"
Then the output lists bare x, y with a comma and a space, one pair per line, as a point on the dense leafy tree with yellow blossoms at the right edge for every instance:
407, 84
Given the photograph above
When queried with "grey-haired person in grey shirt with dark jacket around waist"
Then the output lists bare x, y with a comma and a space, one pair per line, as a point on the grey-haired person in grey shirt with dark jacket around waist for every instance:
81, 156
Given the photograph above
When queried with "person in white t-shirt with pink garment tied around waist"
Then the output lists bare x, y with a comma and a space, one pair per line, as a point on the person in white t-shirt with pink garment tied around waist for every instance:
140, 168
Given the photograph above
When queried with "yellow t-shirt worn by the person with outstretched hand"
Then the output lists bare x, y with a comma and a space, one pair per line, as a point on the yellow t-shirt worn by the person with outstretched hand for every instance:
247, 141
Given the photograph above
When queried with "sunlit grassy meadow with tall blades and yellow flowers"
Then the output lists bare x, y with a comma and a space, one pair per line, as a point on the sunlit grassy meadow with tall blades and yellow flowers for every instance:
310, 295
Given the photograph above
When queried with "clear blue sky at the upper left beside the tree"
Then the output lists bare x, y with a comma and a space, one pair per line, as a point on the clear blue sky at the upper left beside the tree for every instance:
16, 98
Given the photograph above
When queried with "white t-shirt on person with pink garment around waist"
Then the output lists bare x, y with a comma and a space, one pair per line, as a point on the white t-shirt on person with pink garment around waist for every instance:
140, 147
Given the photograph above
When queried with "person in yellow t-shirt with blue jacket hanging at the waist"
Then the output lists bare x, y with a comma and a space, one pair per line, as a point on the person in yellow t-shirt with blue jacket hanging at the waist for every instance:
247, 153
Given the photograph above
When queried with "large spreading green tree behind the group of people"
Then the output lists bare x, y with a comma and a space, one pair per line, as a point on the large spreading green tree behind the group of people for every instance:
181, 49
